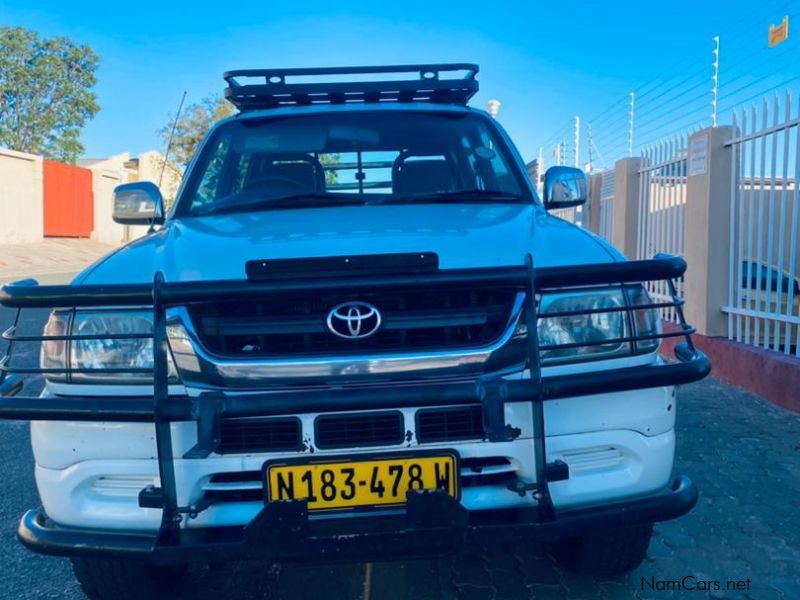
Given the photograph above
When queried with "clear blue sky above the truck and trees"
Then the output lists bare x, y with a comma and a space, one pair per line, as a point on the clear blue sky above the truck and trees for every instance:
545, 61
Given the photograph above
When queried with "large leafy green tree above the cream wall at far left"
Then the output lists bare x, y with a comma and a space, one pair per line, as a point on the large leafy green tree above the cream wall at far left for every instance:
46, 93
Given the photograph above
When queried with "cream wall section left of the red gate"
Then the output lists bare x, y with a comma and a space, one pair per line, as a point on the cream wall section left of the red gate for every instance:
21, 197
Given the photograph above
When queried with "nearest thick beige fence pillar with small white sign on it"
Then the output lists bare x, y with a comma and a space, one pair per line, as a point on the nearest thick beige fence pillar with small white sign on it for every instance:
707, 229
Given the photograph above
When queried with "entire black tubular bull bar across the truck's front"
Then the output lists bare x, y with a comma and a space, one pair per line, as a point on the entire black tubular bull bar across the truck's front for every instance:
287, 523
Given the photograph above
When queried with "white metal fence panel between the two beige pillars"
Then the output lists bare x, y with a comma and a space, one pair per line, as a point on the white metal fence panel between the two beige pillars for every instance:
662, 202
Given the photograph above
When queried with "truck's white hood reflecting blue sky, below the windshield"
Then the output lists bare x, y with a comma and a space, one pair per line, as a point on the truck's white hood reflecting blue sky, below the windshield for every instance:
463, 236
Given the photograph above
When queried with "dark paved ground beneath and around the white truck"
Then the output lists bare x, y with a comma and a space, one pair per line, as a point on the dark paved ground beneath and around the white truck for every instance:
744, 455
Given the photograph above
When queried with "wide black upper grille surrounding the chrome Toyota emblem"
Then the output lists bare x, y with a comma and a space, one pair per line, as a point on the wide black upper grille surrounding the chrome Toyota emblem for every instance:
286, 326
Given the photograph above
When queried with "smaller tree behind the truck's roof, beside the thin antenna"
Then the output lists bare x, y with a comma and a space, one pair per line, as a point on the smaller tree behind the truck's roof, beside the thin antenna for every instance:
192, 125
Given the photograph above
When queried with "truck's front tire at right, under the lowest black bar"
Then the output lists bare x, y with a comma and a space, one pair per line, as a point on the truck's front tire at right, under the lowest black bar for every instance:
605, 551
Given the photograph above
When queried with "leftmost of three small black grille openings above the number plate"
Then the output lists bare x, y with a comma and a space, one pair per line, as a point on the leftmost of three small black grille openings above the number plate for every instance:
239, 436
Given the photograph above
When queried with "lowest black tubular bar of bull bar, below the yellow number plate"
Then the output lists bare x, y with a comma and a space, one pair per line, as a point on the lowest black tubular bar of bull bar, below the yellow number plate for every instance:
433, 525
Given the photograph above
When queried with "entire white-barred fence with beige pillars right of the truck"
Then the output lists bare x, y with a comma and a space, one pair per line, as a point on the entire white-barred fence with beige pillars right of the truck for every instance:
727, 199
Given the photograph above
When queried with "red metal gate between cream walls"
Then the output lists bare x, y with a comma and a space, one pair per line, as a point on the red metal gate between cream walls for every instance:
68, 200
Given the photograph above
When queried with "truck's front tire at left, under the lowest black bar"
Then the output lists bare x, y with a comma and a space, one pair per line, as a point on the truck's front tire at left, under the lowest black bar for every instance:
119, 579
